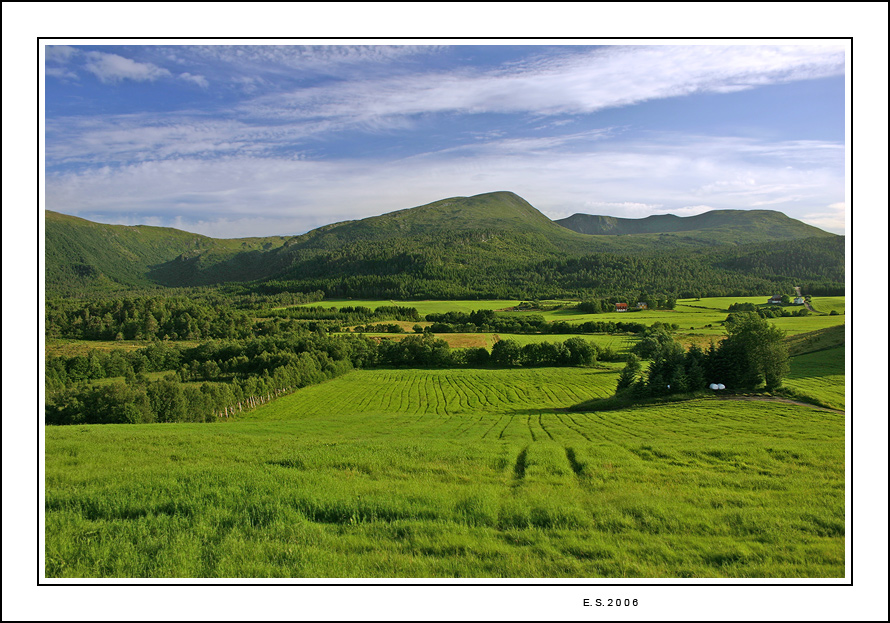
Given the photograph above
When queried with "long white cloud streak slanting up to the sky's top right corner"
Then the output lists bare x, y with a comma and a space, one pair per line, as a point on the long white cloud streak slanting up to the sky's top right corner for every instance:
569, 84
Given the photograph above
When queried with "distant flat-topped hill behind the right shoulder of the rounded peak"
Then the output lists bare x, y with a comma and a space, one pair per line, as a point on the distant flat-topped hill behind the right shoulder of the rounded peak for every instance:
743, 224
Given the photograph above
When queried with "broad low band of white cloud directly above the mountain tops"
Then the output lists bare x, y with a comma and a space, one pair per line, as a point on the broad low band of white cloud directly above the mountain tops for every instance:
295, 195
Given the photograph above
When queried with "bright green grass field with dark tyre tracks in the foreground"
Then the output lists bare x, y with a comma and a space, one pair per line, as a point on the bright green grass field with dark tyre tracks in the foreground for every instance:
454, 473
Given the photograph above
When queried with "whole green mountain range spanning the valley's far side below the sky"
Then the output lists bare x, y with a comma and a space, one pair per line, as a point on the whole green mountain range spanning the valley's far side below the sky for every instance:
484, 245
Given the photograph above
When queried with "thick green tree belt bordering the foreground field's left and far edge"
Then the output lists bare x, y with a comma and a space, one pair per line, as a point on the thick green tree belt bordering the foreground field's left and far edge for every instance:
221, 379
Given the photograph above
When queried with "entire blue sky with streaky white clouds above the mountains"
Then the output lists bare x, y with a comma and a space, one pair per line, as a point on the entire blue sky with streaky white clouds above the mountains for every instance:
250, 140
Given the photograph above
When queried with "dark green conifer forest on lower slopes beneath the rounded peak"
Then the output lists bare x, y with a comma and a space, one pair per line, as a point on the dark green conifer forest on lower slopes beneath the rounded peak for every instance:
431, 271
